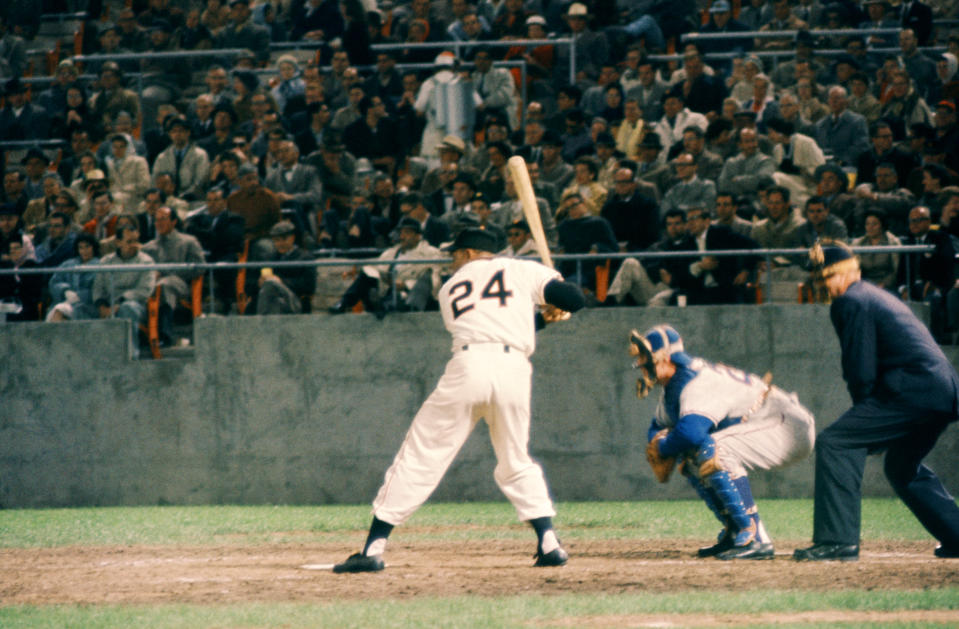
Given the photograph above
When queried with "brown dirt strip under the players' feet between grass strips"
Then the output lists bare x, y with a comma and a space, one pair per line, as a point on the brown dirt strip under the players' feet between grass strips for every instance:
276, 573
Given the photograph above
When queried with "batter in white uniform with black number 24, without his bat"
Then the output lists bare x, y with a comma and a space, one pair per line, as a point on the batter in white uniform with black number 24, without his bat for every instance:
488, 305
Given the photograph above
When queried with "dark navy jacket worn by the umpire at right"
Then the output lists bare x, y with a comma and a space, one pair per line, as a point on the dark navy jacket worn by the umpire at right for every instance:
889, 354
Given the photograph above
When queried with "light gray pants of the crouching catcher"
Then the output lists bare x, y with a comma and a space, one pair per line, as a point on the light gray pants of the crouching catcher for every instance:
780, 432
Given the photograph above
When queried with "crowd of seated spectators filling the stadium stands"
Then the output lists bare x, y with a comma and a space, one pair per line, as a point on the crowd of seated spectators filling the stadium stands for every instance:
644, 140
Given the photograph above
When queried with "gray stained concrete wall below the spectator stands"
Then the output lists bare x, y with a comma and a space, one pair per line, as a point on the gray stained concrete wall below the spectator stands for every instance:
311, 409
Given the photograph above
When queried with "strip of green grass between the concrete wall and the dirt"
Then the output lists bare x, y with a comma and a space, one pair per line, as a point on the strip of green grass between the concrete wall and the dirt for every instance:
37, 528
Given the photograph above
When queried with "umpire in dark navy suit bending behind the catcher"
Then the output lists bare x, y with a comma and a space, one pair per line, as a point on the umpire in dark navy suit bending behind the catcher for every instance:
905, 393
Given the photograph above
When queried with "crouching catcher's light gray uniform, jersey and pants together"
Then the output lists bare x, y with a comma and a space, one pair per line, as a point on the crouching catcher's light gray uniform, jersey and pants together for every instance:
753, 428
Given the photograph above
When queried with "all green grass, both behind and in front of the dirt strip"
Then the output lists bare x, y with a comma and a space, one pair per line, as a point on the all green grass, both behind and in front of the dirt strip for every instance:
236, 525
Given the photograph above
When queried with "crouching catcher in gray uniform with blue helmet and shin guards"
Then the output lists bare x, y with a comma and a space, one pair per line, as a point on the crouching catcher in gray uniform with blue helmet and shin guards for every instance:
716, 421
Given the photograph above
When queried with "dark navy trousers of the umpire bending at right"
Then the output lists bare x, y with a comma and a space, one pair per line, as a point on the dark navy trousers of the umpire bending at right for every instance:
907, 434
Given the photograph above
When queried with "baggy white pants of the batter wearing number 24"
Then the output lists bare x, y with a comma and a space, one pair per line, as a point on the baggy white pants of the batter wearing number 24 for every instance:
482, 381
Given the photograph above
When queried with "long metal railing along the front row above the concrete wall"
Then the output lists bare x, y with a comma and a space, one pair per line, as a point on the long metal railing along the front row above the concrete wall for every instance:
210, 269
